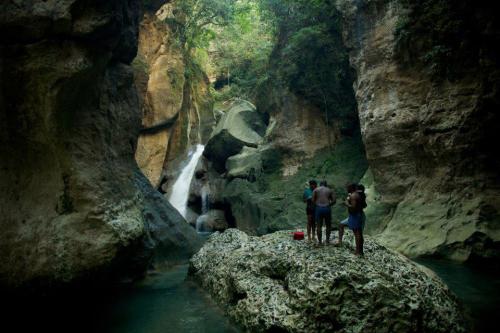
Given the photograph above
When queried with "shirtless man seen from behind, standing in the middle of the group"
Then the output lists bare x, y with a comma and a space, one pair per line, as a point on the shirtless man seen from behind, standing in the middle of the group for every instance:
323, 200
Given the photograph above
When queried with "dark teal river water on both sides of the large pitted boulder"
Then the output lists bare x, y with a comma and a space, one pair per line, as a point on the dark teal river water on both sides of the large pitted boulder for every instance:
166, 302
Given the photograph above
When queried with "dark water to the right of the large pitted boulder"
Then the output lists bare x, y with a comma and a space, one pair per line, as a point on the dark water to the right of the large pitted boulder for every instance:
479, 290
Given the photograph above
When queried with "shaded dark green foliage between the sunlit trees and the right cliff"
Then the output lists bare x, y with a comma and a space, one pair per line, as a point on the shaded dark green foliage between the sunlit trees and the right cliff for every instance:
310, 58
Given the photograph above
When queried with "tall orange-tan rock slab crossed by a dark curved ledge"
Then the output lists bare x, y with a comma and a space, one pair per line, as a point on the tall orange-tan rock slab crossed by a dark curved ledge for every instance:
159, 72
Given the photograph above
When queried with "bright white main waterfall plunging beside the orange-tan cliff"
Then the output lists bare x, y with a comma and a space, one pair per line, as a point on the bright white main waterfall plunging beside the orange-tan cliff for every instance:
180, 190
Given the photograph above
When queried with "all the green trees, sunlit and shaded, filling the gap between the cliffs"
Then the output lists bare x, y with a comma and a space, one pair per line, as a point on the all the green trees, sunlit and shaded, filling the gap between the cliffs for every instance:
256, 47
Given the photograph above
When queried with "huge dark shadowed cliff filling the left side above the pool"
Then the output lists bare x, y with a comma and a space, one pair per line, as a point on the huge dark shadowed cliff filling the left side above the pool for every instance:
73, 204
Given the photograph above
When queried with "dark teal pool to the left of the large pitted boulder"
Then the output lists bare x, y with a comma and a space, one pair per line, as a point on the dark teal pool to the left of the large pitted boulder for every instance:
162, 303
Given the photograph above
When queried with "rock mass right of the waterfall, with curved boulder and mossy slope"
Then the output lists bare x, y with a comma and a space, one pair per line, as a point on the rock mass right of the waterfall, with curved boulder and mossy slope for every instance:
257, 172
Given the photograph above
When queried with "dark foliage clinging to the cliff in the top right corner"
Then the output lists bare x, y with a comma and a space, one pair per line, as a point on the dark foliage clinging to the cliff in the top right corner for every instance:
441, 36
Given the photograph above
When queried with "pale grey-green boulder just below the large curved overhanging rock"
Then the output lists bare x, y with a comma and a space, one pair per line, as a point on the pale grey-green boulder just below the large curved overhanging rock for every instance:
246, 164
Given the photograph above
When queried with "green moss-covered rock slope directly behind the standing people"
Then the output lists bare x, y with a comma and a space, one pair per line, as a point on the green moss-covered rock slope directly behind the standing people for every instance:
274, 202
